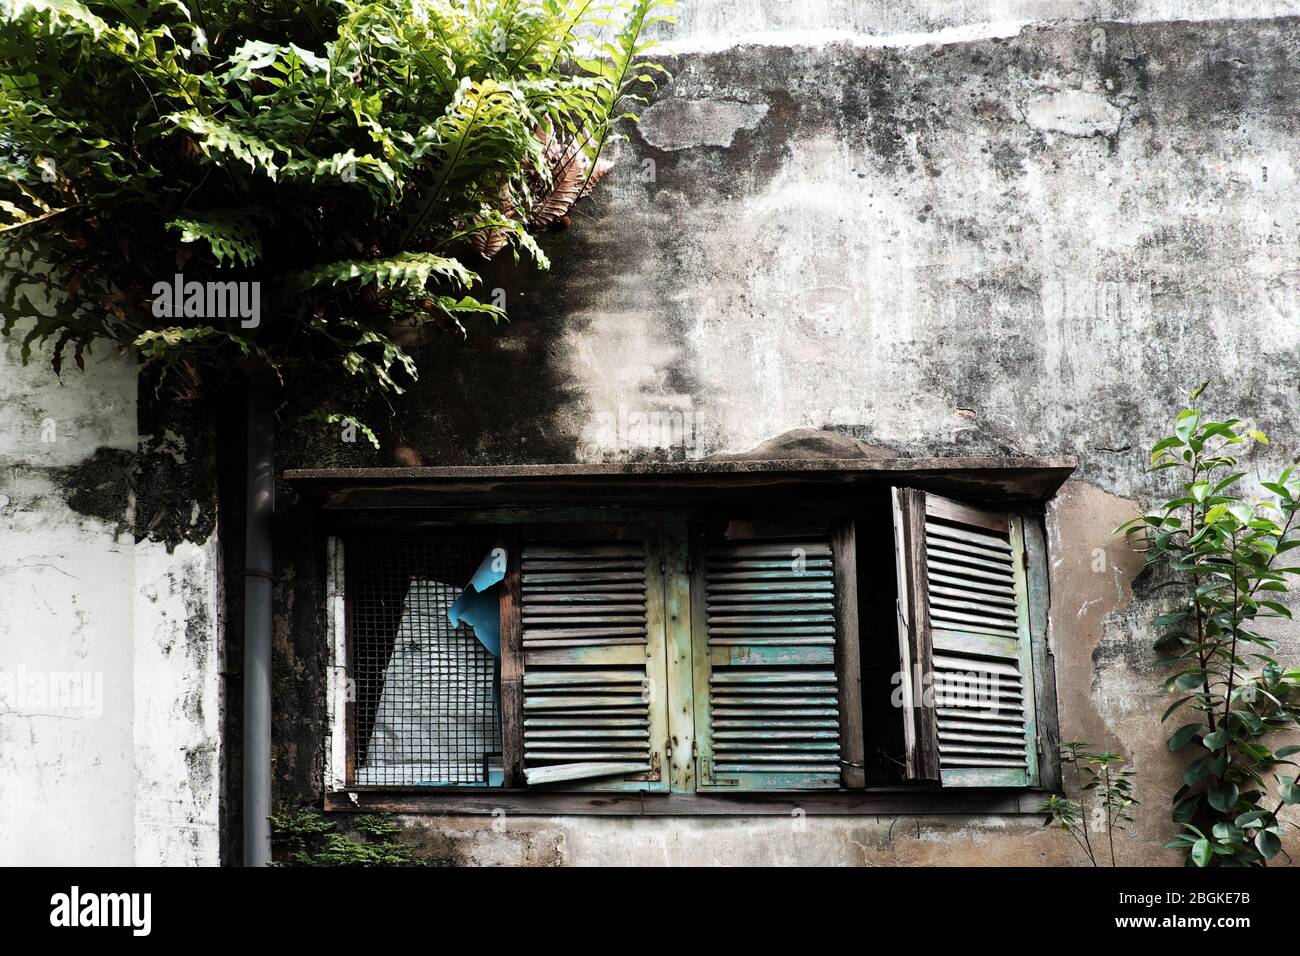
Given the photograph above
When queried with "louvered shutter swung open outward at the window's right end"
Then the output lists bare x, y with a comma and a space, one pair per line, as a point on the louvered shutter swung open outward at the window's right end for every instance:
965, 644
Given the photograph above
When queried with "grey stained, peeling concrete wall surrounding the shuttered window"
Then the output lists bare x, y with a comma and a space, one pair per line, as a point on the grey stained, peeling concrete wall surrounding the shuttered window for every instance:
1009, 240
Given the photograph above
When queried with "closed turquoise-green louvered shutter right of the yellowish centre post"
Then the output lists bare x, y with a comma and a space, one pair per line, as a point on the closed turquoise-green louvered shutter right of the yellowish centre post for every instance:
768, 690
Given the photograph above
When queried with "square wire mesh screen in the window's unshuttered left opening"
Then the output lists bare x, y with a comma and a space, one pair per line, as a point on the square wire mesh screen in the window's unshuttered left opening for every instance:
426, 694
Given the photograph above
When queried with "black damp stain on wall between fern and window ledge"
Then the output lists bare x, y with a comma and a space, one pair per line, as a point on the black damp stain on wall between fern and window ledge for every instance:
495, 395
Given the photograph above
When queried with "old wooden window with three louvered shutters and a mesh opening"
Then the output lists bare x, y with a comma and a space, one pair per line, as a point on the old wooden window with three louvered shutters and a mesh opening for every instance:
890, 642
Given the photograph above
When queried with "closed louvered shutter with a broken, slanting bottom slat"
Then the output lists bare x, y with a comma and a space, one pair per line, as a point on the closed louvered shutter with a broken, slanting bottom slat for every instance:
593, 648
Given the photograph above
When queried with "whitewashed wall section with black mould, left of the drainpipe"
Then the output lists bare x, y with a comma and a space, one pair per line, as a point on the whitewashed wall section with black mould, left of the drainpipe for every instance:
125, 768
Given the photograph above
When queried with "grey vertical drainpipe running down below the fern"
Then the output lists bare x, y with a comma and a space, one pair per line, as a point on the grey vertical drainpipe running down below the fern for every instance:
261, 482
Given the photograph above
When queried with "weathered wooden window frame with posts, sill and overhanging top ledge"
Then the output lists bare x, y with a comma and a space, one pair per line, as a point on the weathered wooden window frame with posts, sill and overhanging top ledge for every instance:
1022, 487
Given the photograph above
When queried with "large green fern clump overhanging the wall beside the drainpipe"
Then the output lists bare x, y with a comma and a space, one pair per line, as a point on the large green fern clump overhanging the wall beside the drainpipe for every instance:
354, 159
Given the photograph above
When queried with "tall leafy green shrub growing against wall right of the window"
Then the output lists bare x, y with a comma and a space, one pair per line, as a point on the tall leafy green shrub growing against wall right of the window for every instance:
1225, 560
